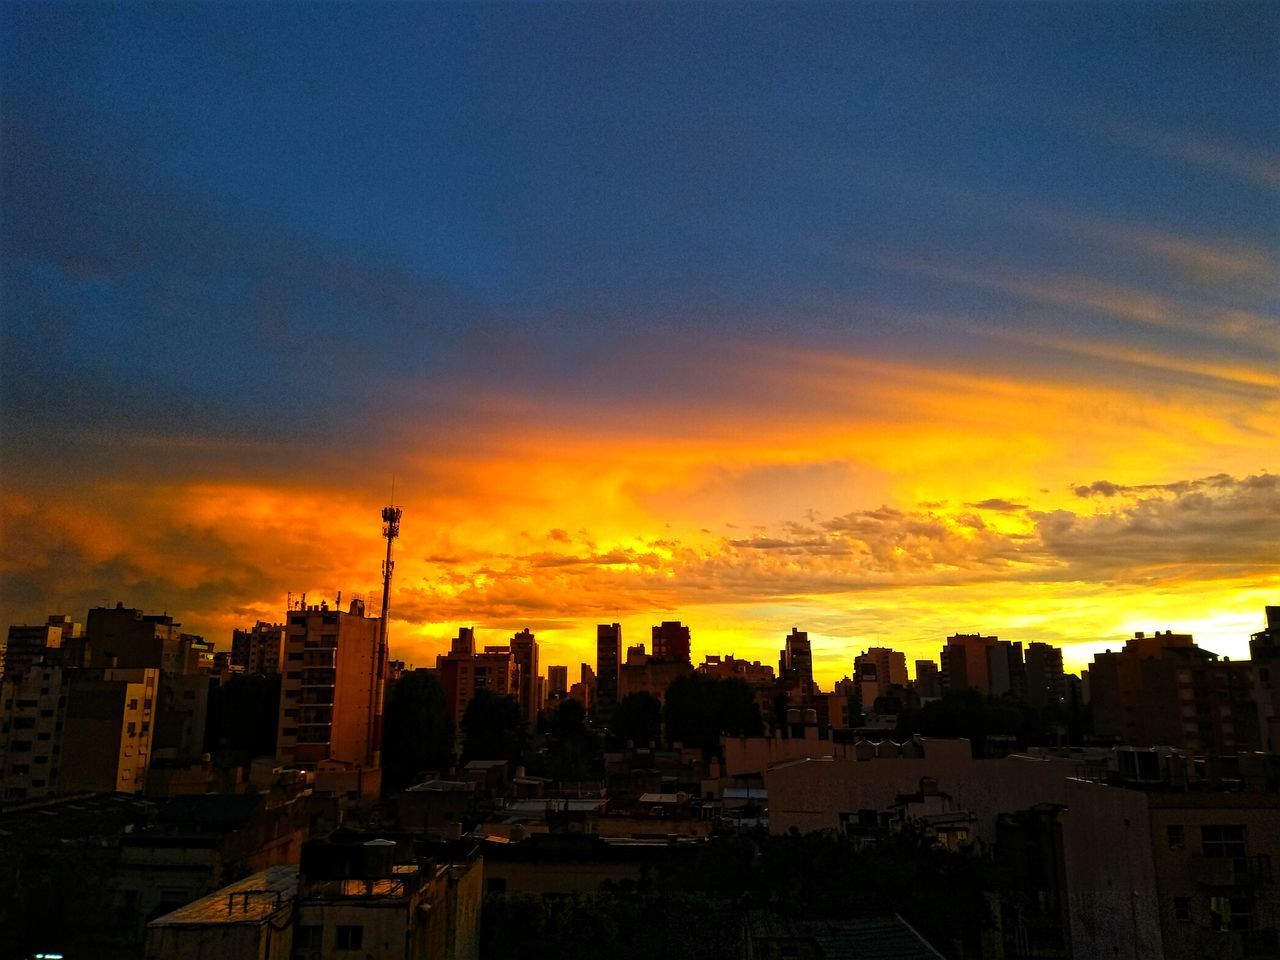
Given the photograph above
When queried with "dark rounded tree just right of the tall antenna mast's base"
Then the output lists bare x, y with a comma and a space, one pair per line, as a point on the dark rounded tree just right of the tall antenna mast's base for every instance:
417, 732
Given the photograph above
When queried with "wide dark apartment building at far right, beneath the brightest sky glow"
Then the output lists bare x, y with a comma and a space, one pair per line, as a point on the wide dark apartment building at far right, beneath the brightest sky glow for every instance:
1164, 691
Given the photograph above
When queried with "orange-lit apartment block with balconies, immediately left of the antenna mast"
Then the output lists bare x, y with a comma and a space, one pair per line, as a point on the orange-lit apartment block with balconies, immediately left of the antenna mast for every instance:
327, 696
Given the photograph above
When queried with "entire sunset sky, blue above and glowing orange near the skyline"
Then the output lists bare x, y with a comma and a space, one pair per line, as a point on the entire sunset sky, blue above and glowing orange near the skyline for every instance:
884, 322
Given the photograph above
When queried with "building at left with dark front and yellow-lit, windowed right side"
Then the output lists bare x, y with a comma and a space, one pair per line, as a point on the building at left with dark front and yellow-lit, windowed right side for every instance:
108, 732
